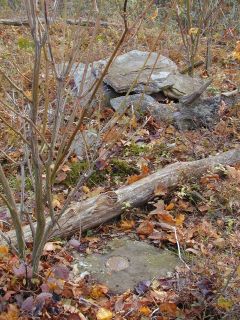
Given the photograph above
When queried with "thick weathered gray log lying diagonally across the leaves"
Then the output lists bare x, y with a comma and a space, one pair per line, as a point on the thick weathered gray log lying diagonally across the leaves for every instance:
97, 210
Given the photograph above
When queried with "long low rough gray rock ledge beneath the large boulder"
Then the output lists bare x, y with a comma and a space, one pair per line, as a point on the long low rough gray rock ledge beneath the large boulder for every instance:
202, 113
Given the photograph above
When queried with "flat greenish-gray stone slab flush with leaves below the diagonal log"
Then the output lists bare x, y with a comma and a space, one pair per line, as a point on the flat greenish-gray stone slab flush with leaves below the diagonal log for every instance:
126, 263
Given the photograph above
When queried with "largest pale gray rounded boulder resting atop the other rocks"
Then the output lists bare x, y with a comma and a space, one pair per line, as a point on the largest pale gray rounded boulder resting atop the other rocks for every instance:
141, 71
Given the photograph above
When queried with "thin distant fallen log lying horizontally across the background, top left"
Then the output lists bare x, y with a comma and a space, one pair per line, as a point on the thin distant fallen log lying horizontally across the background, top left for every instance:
81, 22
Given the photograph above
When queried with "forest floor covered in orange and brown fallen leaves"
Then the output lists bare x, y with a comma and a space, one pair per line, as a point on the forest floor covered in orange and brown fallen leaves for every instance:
205, 211
